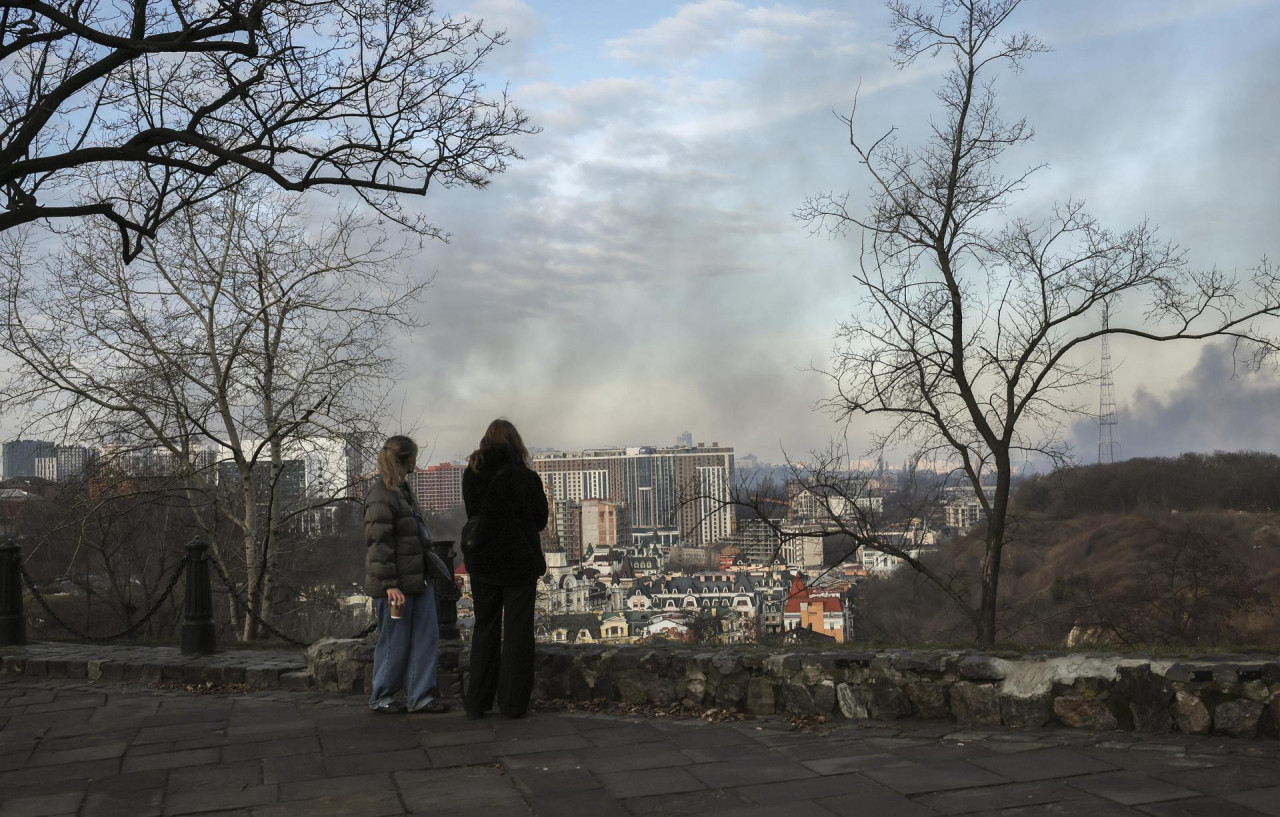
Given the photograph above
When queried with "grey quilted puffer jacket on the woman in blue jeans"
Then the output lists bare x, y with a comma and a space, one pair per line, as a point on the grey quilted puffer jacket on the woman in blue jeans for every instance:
394, 556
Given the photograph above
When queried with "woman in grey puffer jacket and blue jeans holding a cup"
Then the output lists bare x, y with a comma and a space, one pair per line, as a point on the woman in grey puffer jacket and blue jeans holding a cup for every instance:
396, 576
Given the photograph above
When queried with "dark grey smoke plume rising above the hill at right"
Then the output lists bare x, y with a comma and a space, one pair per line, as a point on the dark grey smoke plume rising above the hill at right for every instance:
1217, 407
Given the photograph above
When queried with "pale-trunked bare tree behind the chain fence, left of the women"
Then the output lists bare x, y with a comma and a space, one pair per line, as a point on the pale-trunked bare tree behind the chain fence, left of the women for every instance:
237, 343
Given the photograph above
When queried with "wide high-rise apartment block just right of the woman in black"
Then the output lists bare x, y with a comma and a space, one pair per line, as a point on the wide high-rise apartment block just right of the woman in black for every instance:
682, 487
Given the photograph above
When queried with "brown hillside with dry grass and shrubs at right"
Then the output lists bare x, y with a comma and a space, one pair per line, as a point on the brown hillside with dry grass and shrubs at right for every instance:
1116, 568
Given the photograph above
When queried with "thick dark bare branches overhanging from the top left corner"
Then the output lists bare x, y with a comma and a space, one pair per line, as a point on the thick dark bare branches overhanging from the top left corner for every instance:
134, 111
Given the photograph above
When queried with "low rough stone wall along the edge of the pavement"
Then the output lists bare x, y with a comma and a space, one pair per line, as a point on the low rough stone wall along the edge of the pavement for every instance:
1227, 695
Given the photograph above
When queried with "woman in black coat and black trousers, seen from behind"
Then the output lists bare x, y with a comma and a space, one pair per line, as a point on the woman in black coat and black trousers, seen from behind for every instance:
505, 567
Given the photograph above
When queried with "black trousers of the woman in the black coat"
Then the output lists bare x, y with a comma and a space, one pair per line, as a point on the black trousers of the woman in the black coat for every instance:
502, 647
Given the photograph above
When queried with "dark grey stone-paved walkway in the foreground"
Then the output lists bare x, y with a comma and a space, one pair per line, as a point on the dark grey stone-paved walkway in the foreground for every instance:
99, 750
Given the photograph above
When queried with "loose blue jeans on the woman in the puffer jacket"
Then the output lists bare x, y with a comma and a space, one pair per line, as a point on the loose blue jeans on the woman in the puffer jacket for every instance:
408, 650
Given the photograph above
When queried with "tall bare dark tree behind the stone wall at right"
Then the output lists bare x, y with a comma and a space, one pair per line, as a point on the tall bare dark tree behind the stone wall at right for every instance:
973, 337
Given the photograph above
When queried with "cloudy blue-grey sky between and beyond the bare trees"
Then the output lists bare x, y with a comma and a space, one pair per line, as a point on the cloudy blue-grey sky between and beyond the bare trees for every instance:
641, 272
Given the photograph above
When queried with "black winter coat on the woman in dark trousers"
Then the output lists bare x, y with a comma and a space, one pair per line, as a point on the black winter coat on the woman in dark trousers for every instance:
511, 517
